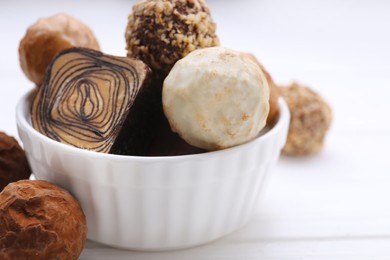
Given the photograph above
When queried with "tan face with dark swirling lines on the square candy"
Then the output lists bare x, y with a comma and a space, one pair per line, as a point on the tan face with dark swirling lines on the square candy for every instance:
85, 98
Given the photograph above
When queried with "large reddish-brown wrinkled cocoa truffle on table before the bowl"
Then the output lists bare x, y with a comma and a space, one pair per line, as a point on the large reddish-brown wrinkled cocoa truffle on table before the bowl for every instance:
39, 220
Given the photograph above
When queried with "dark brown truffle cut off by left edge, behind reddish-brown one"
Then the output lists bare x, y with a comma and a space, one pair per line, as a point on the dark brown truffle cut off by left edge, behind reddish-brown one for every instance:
13, 162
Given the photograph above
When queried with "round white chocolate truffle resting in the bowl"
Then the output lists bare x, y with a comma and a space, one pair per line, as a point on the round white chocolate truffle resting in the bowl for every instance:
216, 98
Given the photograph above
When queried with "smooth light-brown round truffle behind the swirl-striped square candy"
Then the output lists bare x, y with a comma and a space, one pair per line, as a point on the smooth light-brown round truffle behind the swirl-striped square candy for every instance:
47, 37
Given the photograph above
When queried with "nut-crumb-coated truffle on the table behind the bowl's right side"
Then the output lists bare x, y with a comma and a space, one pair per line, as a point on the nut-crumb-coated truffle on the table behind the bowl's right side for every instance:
310, 120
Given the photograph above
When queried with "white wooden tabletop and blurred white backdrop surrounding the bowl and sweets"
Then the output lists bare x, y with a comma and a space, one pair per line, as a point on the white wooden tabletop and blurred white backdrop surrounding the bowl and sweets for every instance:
333, 205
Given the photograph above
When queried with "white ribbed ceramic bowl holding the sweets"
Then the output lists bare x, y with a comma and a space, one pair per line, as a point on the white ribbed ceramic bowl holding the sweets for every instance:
158, 203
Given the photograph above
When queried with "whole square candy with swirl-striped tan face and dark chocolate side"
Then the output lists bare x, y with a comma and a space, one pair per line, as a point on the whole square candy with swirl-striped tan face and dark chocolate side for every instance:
97, 102
